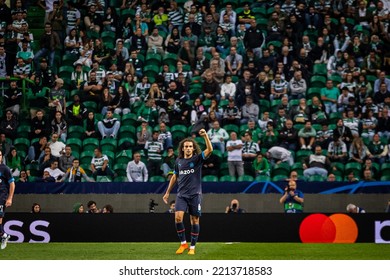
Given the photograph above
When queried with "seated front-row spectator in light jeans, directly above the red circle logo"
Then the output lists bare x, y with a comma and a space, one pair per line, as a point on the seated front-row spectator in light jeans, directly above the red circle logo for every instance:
316, 164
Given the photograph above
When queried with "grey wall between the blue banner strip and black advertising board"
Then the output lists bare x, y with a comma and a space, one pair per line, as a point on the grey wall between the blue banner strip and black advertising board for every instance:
212, 203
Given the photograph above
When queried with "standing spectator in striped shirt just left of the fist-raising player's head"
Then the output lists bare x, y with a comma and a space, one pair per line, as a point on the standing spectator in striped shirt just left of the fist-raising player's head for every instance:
154, 150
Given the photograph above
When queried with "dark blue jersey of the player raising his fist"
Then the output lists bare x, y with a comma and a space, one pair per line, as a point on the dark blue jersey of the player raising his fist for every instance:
189, 175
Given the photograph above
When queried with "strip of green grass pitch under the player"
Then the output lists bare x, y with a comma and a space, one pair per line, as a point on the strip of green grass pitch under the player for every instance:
204, 251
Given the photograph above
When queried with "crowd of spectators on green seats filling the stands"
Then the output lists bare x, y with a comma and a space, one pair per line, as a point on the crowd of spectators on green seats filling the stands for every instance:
110, 87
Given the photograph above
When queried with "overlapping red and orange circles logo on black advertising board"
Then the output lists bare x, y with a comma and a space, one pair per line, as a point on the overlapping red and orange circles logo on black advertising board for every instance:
337, 228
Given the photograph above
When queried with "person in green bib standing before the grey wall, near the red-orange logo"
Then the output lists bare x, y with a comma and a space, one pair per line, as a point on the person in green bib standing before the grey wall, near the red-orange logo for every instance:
292, 198
